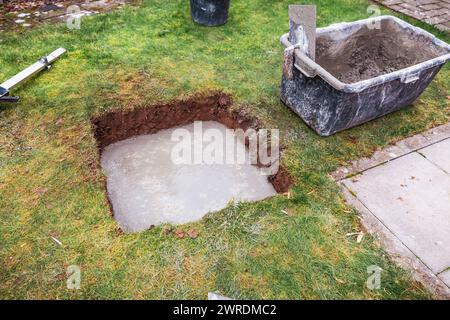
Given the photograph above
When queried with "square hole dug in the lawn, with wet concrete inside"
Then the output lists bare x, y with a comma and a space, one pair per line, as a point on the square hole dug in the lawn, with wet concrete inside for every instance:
146, 188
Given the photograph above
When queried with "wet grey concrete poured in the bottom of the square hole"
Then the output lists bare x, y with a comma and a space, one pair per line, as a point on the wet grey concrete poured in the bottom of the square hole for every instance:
146, 188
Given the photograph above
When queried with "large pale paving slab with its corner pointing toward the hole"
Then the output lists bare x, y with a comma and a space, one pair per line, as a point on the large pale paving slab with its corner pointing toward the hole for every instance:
411, 197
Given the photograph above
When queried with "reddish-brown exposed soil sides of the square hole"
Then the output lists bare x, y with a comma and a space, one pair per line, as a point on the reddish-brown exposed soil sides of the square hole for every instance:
119, 125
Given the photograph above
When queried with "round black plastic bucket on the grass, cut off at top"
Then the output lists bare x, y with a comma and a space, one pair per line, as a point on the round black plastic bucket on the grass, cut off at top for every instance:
210, 12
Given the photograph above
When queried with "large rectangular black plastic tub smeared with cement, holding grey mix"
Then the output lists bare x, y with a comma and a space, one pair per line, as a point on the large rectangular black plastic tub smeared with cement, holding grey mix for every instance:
346, 86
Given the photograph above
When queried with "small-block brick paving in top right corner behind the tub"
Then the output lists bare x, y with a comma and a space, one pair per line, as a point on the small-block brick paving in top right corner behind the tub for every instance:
434, 12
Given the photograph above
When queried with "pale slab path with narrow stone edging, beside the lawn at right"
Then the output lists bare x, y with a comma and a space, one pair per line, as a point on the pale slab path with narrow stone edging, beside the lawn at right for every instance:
403, 193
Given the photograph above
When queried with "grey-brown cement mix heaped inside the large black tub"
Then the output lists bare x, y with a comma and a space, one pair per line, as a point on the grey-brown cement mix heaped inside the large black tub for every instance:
372, 51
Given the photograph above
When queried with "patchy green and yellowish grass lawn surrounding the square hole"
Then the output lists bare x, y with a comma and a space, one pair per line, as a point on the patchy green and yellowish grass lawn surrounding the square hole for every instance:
51, 183
